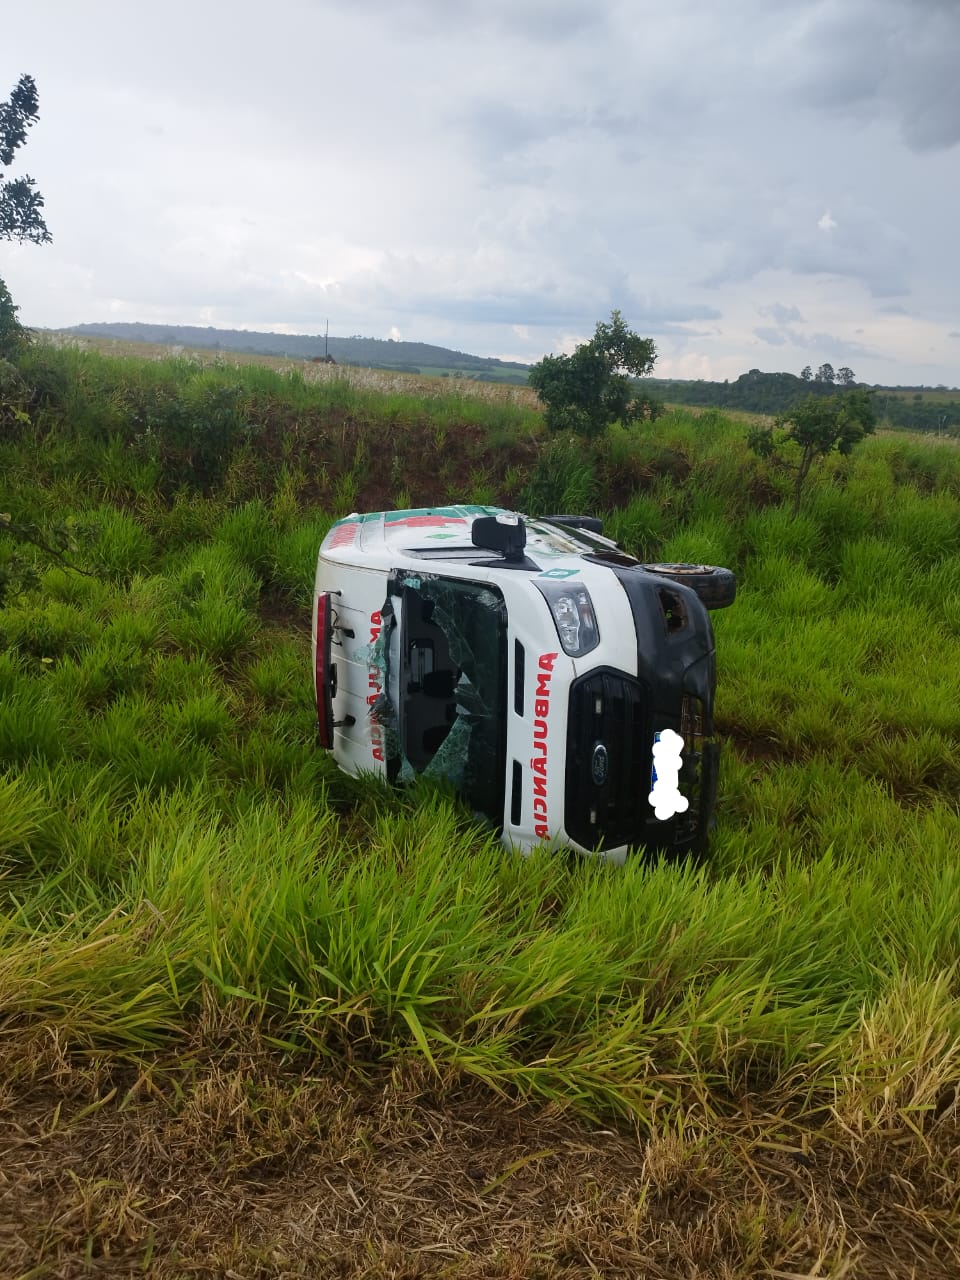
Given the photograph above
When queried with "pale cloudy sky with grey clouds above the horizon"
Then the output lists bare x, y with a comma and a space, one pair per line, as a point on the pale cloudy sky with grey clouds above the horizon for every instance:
753, 184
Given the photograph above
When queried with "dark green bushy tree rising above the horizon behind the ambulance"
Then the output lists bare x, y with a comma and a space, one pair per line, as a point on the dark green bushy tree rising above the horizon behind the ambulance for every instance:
591, 390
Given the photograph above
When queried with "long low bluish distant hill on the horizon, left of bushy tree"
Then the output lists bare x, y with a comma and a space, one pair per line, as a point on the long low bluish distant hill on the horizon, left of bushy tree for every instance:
417, 358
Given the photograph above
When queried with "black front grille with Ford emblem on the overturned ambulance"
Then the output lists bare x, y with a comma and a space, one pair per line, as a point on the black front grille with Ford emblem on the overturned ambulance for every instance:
609, 761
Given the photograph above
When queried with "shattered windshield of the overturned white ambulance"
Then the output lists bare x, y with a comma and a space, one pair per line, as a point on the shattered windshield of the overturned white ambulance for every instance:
451, 691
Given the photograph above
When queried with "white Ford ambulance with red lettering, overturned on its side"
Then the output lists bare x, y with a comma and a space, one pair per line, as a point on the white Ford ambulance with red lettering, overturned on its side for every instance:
561, 687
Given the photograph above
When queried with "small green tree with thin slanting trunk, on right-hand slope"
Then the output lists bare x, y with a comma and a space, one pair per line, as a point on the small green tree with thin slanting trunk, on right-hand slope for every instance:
813, 429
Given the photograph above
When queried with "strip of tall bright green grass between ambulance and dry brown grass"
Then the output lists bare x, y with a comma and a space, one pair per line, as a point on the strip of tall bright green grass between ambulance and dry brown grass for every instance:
629, 989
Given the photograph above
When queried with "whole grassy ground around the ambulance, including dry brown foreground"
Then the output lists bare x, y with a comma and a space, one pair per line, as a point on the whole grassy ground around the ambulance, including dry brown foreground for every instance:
259, 1020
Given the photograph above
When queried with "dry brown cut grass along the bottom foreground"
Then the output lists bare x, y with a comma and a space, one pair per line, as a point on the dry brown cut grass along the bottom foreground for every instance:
232, 1165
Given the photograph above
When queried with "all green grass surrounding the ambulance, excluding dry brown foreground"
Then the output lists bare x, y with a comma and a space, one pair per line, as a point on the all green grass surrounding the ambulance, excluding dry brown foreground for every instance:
171, 838
